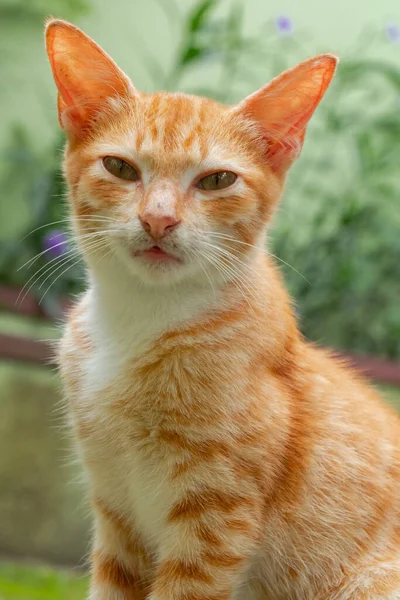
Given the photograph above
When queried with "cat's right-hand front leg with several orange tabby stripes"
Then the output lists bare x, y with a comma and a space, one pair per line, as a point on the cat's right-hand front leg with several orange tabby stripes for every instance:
208, 542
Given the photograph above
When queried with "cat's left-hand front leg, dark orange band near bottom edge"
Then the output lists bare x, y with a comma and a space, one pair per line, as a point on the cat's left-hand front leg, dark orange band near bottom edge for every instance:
121, 566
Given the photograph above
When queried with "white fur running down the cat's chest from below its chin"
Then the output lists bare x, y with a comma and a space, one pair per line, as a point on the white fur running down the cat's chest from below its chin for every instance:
120, 471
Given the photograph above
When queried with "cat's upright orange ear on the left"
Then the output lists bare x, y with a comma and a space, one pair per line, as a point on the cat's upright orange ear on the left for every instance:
86, 77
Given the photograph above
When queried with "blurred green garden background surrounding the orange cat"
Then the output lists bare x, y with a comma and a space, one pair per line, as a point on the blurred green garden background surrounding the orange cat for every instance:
337, 234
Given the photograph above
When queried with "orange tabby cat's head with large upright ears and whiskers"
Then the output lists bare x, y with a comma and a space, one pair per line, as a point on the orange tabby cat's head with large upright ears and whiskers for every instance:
174, 186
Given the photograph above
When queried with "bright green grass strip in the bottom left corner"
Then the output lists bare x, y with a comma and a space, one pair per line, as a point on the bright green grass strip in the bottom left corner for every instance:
40, 583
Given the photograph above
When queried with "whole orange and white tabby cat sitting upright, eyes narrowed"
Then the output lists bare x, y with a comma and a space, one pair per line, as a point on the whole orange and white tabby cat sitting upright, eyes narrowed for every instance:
227, 459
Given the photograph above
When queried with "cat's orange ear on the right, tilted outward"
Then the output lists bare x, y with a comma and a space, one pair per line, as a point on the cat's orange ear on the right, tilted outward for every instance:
283, 108
